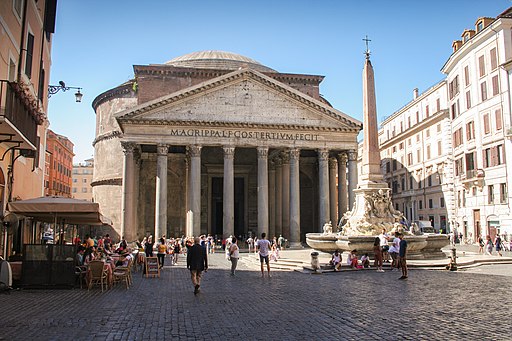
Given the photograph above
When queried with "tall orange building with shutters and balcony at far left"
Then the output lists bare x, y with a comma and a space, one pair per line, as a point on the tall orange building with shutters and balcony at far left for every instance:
25, 45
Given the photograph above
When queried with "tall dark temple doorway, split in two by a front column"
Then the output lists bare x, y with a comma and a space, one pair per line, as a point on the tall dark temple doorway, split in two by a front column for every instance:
218, 207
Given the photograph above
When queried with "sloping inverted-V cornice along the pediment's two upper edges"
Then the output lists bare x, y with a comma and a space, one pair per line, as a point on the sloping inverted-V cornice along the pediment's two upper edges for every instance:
233, 76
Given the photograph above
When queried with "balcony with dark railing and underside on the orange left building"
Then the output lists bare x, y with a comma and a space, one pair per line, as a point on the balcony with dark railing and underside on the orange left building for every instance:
19, 116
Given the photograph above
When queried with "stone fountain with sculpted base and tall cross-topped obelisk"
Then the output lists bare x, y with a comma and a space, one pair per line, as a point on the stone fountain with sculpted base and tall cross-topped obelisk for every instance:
373, 208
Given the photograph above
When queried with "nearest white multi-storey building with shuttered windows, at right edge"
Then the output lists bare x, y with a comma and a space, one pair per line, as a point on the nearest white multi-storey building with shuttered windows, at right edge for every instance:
479, 102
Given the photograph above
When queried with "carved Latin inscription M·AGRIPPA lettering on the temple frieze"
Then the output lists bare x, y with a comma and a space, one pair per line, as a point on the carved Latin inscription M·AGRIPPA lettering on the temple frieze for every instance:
243, 134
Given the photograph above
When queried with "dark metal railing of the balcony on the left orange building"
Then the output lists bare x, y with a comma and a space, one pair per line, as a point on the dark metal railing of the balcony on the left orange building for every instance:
16, 110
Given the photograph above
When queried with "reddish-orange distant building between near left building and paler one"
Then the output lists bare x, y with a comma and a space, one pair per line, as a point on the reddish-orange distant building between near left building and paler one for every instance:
60, 160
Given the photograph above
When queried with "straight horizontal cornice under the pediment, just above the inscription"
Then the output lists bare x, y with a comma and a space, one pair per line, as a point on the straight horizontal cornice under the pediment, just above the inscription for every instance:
147, 122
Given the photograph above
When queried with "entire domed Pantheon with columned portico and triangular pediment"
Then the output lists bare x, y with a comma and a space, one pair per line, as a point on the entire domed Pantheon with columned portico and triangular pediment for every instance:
216, 143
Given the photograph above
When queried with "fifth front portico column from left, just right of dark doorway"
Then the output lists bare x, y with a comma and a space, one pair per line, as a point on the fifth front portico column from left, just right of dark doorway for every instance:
263, 191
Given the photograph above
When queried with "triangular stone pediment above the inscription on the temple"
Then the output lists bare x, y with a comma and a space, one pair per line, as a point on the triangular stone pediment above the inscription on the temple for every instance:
240, 98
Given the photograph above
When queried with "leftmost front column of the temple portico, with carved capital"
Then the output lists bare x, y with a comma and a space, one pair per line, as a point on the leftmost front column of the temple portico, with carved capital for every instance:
127, 222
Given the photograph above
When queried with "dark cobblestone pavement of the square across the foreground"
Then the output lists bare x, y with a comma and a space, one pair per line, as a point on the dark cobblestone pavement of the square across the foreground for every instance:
358, 305
